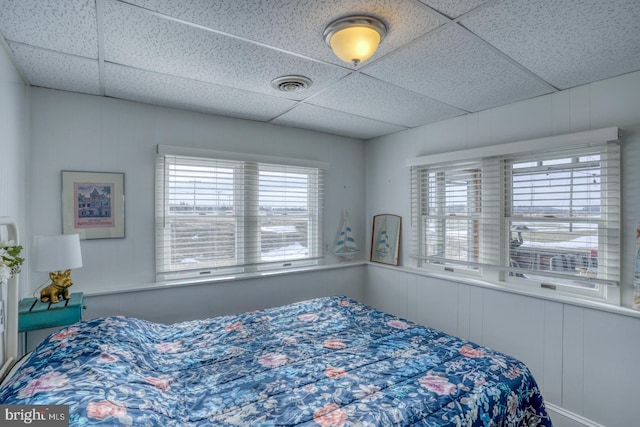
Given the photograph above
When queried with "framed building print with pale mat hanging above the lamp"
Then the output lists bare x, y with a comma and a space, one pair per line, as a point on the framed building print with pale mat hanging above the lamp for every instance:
93, 204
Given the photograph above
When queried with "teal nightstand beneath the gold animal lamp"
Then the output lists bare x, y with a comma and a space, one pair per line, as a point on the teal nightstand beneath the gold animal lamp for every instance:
34, 314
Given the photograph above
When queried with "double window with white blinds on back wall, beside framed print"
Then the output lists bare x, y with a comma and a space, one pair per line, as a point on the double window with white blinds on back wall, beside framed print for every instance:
230, 215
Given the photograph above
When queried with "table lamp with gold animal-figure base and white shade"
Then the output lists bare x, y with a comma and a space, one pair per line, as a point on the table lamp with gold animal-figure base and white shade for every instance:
57, 255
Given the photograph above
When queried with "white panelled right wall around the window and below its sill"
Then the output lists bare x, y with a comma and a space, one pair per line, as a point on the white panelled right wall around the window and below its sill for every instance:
584, 359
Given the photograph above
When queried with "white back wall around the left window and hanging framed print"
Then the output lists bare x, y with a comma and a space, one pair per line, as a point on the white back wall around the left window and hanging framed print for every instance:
88, 133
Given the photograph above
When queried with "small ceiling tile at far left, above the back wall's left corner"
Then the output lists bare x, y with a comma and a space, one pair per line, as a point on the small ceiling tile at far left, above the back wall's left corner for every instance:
57, 70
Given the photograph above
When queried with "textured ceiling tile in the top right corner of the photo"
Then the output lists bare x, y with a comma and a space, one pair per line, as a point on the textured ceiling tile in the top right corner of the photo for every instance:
565, 43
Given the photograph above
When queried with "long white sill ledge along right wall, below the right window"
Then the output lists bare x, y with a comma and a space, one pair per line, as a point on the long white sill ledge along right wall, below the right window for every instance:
563, 299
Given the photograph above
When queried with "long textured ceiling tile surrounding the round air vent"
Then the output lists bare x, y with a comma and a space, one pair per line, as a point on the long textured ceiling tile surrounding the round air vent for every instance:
142, 40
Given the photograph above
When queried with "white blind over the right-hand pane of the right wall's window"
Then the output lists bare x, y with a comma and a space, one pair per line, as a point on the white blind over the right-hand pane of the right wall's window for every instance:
563, 214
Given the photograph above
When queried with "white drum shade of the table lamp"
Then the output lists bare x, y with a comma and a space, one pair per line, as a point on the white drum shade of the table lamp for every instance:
57, 253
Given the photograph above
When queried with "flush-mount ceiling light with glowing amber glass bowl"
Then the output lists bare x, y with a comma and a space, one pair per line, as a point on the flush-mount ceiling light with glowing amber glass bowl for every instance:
354, 39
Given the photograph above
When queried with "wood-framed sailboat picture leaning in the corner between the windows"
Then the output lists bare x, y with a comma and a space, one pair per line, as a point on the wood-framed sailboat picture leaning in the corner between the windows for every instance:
385, 239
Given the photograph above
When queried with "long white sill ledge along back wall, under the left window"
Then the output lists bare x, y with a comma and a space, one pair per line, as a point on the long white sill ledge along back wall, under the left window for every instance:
217, 279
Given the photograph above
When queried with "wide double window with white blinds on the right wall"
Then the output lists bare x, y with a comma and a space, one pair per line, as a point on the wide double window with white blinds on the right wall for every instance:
546, 219
